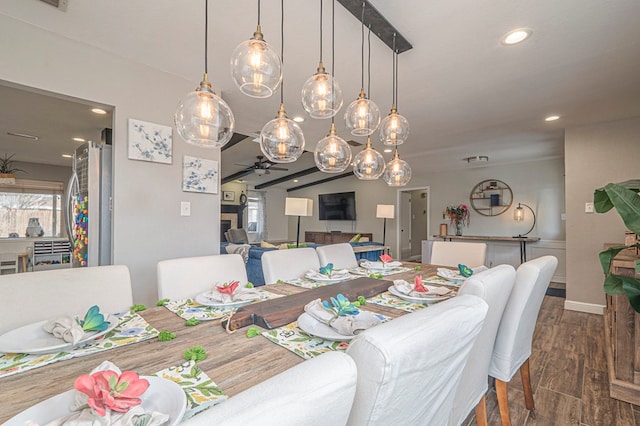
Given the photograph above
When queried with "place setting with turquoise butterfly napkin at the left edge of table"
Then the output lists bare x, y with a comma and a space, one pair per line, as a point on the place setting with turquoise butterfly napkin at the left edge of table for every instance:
36, 350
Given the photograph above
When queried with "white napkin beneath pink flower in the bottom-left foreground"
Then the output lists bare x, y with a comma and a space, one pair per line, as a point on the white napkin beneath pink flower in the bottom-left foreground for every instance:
83, 416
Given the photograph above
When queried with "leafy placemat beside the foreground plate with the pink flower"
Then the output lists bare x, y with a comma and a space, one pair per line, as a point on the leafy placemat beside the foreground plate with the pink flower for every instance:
201, 391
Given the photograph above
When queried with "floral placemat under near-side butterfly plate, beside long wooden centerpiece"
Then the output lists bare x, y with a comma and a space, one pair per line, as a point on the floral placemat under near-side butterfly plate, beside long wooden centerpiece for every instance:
292, 337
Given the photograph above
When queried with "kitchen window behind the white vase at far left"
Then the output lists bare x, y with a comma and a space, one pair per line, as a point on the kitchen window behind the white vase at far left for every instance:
29, 198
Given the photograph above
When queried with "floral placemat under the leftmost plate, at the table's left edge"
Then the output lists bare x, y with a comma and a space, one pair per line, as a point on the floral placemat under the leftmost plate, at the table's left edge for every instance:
132, 328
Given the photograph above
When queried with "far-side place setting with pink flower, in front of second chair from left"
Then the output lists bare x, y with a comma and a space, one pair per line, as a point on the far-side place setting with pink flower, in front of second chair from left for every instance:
217, 302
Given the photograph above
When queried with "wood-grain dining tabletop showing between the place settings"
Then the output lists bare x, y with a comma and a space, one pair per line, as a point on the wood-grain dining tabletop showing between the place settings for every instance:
234, 361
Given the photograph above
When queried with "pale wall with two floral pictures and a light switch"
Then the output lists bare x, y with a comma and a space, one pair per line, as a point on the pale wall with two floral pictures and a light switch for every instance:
147, 225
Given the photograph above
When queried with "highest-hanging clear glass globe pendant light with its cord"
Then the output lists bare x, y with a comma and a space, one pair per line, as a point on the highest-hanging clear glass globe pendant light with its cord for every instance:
255, 66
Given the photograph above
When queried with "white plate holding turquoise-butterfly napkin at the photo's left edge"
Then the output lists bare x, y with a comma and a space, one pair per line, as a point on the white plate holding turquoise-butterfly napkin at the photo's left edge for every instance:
32, 339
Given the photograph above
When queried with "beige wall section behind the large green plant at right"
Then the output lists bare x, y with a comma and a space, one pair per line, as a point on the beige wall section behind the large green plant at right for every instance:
594, 156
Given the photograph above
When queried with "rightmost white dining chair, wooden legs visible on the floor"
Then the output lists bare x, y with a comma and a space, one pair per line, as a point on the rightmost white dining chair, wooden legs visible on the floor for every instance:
513, 342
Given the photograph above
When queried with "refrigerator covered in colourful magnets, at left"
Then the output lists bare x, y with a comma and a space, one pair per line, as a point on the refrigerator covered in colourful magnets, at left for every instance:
89, 204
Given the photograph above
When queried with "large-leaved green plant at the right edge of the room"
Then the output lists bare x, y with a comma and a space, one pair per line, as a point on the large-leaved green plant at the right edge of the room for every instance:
624, 198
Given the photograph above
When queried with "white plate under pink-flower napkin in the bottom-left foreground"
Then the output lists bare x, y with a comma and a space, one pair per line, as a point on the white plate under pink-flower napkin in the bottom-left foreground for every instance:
162, 395
